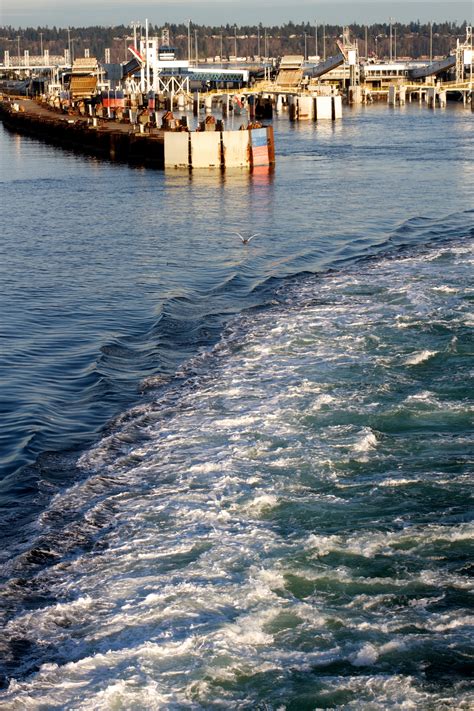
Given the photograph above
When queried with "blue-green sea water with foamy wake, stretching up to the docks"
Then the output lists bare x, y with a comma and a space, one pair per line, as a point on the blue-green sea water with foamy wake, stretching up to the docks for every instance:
238, 477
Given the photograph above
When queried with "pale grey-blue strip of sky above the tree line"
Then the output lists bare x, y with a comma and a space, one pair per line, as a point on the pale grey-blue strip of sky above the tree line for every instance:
64, 13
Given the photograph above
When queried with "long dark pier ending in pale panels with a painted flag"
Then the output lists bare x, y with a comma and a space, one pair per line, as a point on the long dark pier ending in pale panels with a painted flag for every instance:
170, 145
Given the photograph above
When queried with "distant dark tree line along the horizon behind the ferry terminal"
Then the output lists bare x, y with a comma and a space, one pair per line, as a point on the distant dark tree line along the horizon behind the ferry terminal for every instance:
414, 39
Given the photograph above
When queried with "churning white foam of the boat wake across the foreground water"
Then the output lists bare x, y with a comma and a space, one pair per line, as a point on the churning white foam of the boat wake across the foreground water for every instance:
207, 571
